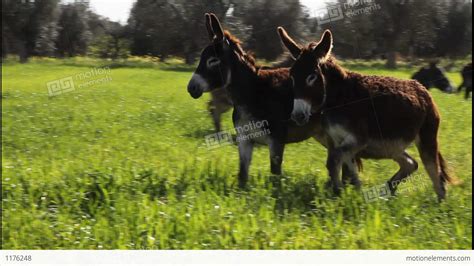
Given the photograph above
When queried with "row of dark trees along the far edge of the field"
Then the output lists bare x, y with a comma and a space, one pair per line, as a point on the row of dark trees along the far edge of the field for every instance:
164, 28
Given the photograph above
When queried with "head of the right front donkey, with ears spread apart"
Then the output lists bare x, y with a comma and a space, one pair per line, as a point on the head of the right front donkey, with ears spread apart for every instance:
309, 85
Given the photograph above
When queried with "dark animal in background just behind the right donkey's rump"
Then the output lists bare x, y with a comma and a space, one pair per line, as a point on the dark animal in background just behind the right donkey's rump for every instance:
433, 76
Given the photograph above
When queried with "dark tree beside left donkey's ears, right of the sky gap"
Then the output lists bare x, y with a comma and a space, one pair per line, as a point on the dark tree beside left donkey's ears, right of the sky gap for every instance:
178, 30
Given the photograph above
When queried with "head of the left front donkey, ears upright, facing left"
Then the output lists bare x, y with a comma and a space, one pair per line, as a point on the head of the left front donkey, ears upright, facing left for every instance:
214, 69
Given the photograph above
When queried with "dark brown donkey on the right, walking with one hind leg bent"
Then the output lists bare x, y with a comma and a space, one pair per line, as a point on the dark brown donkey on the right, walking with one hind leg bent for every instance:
369, 116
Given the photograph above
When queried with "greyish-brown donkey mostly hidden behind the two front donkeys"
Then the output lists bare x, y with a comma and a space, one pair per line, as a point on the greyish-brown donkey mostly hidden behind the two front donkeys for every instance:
221, 101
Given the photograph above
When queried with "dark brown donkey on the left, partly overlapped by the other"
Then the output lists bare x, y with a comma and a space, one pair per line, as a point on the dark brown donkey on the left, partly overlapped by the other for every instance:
260, 96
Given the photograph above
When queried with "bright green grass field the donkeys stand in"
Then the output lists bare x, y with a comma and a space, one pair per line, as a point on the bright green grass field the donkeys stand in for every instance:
123, 165
